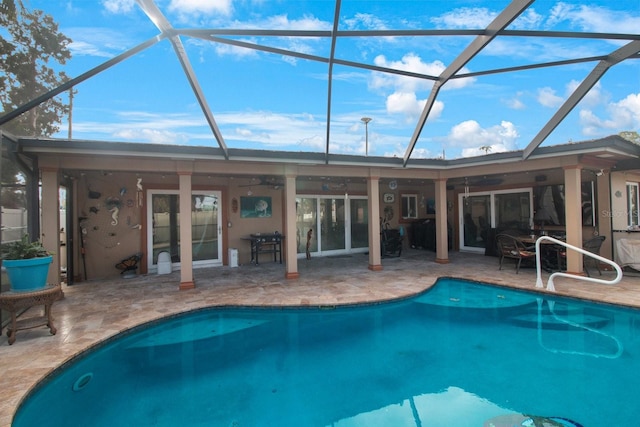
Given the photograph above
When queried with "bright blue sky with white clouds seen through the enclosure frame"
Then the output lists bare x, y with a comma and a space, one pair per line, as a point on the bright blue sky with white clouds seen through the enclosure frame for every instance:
270, 101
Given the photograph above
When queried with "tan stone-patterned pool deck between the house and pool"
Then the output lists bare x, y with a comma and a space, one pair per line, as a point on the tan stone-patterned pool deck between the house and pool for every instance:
94, 310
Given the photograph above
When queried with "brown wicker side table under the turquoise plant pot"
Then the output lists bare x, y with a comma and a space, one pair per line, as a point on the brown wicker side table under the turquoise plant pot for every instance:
15, 301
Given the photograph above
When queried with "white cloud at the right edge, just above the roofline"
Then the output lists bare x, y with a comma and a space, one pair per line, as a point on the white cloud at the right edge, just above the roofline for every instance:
623, 115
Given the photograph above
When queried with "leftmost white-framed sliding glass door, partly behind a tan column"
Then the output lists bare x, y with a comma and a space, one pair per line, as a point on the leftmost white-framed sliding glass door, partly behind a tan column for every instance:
164, 217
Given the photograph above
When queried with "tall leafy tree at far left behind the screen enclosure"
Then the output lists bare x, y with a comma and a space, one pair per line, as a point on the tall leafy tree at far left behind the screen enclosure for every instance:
30, 43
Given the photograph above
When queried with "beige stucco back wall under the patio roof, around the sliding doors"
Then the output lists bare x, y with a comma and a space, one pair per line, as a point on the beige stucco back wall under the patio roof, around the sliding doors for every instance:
107, 239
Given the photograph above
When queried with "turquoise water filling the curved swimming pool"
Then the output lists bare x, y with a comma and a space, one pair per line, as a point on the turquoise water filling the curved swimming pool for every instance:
461, 354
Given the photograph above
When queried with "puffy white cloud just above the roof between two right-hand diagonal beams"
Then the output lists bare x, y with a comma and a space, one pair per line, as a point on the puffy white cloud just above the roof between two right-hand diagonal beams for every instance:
471, 136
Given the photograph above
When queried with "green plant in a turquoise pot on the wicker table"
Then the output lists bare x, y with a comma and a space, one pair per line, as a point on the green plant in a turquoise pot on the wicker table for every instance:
27, 264
